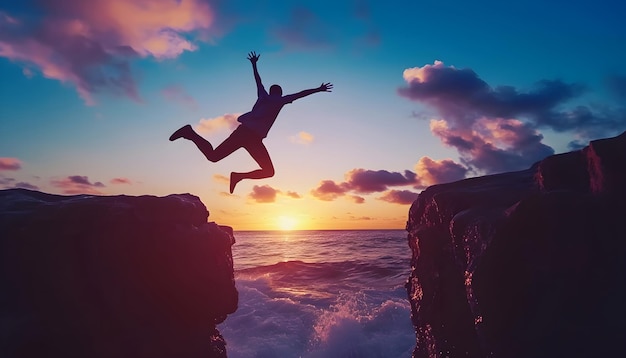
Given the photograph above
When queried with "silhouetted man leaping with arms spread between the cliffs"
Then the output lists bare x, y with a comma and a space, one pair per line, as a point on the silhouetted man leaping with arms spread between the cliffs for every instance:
253, 128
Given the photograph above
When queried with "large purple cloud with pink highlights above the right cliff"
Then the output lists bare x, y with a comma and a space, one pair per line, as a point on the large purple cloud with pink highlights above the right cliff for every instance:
493, 129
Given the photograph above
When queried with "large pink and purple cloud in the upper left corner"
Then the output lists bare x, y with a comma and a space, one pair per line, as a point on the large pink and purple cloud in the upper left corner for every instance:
90, 44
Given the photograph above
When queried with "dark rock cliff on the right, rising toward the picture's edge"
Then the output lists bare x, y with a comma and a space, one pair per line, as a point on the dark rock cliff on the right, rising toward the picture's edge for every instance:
524, 264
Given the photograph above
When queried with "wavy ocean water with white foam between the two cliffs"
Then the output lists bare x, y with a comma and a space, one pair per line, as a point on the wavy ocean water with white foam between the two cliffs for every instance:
320, 294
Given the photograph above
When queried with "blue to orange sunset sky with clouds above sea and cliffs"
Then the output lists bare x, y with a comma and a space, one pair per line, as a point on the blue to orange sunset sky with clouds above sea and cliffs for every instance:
425, 92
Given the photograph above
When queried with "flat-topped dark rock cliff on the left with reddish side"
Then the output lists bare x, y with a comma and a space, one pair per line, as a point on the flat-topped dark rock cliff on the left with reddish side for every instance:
117, 276
